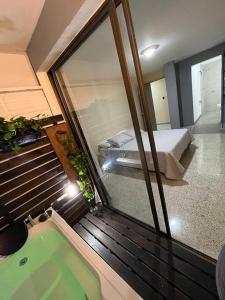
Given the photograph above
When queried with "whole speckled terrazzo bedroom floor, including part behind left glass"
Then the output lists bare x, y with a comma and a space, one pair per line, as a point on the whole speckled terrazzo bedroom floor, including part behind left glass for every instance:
196, 204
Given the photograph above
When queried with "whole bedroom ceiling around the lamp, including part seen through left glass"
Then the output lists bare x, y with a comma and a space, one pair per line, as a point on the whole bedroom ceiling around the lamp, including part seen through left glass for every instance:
181, 28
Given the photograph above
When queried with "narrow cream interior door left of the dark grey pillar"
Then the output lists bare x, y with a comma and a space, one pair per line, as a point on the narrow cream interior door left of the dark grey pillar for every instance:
160, 101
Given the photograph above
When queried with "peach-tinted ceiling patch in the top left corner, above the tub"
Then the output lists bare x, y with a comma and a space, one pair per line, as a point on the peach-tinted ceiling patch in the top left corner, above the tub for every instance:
18, 19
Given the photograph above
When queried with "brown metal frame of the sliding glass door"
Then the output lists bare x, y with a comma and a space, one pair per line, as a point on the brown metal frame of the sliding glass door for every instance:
108, 9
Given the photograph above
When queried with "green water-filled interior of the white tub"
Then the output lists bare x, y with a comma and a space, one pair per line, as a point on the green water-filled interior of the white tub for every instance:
48, 267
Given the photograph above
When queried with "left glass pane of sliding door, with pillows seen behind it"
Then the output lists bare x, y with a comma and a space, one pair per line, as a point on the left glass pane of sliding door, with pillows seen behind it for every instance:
92, 78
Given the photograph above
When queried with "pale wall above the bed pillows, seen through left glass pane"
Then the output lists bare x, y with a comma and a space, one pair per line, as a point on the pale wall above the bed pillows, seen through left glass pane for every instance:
102, 109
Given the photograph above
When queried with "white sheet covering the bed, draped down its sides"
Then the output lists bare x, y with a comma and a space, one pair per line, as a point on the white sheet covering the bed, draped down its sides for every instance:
170, 145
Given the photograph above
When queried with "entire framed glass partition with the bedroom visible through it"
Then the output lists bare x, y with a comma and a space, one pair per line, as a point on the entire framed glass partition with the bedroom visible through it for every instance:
183, 72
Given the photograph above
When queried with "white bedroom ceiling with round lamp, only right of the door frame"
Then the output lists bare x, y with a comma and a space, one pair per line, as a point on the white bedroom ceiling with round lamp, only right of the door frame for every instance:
181, 28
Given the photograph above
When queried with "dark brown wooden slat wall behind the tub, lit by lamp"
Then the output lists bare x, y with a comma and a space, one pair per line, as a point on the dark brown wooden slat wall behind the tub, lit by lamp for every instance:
34, 180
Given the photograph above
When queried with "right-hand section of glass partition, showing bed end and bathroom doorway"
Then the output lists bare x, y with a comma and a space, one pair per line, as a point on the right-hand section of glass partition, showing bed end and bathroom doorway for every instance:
184, 63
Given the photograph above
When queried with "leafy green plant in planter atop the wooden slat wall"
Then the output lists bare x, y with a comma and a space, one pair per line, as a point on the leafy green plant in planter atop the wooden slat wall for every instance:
19, 131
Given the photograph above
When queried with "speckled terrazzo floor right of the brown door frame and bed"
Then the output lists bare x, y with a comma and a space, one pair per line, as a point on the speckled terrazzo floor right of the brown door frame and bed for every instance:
196, 204
